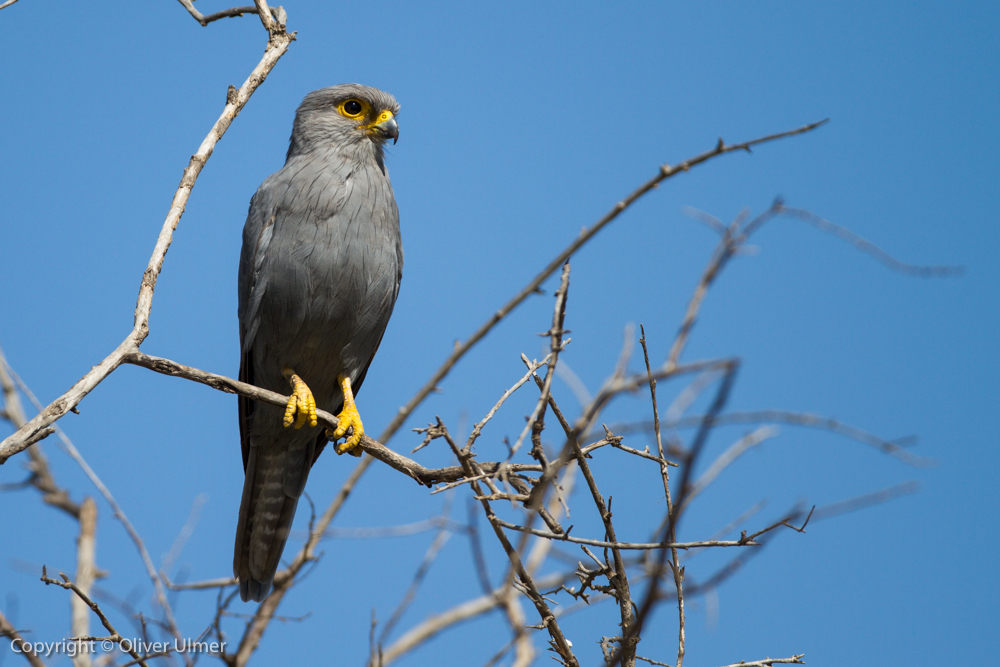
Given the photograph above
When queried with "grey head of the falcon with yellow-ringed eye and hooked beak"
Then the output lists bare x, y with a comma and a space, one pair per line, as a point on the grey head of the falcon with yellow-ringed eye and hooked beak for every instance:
348, 117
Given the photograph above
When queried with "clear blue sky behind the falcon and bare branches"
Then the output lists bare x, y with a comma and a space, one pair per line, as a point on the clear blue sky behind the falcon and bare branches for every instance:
520, 124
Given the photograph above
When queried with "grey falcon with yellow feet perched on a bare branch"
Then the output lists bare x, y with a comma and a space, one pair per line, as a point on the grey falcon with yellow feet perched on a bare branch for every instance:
319, 273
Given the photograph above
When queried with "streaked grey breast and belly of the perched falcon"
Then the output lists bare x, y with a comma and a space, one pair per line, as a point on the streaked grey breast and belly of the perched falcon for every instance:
332, 272
